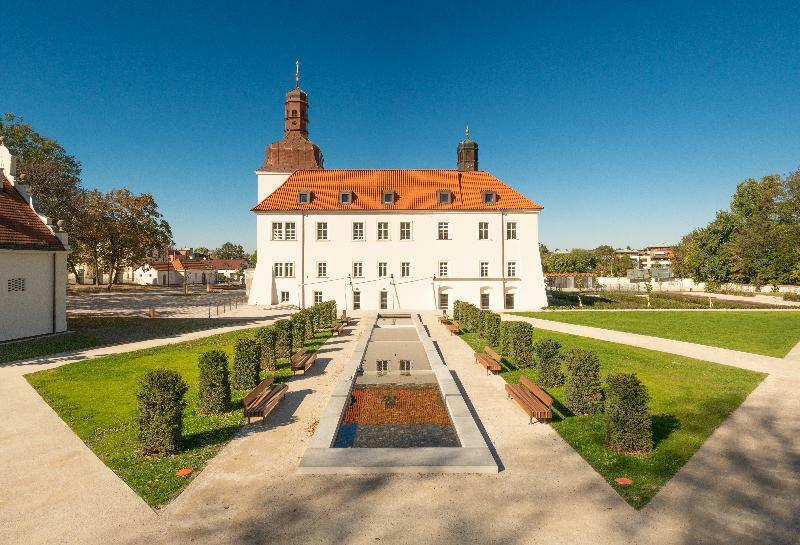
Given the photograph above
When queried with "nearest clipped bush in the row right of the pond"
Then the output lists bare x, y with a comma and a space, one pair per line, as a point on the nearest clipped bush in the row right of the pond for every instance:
627, 418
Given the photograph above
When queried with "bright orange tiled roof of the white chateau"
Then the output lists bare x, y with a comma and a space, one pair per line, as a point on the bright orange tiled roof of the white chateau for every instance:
414, 190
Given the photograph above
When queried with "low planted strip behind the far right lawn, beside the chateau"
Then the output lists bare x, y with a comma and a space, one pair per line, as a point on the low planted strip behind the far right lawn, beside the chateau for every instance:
633, 300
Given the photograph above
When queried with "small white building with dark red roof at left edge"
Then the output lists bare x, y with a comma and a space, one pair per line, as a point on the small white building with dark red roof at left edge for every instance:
33, 262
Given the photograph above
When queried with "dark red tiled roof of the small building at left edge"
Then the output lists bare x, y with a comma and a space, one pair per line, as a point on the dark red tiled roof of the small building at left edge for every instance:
20, 227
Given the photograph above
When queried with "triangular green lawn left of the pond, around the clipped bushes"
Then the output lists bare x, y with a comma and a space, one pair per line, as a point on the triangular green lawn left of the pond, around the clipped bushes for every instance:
97, 399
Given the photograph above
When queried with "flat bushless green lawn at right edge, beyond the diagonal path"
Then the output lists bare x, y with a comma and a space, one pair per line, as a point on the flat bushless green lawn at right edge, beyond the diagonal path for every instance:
767, 333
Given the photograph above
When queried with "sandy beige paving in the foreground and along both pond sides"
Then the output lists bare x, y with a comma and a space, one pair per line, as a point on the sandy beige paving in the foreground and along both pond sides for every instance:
741, 486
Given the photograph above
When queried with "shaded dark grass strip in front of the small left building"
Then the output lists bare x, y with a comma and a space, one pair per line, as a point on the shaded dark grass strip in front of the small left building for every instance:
89, 331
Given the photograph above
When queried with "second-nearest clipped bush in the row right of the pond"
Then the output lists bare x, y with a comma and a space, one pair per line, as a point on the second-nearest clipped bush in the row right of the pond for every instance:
582, 392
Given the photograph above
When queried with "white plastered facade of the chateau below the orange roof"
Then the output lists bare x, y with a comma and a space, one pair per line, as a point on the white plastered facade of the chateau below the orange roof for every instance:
421, 272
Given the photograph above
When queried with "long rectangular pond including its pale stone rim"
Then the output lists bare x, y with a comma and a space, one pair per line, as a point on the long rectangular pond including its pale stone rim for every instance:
396, 408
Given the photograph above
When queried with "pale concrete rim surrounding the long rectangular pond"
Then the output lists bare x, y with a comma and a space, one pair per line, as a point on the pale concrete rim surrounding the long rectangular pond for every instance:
473, 456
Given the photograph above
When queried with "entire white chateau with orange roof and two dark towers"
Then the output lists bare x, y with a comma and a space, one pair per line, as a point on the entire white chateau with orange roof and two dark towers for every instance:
390, 239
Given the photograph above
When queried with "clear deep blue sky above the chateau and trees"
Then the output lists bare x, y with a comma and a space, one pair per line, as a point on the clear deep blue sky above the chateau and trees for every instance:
631, 122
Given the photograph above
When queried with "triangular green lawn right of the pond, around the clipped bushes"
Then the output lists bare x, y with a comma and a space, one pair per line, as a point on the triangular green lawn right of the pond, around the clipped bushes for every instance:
690, 398
